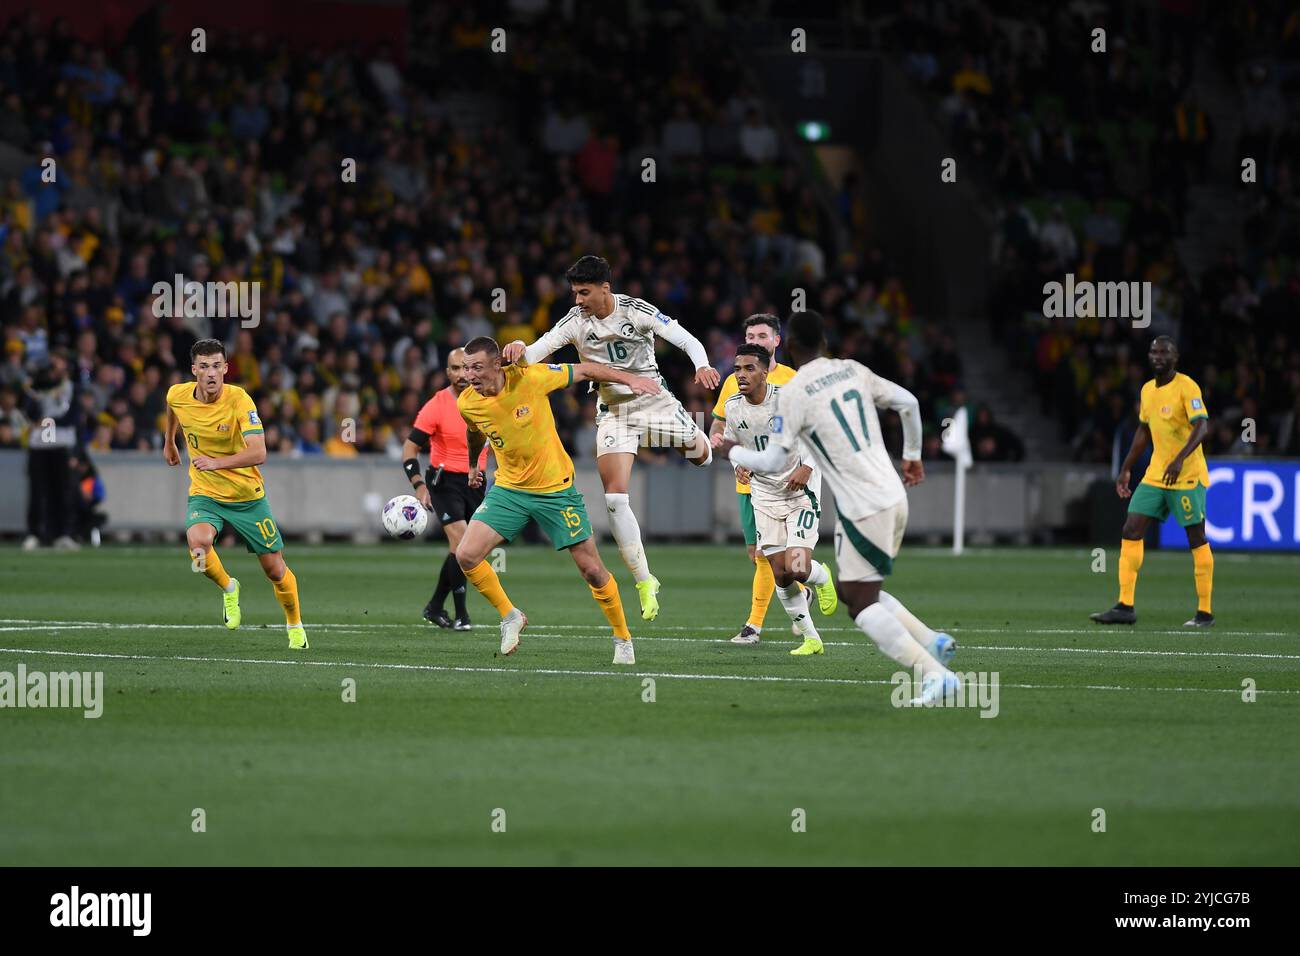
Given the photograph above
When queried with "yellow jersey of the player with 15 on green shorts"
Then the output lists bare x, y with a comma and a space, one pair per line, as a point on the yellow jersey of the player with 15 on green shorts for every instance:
522, 430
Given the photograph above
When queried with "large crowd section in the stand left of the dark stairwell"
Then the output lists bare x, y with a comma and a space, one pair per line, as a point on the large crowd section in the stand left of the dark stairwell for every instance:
228, 167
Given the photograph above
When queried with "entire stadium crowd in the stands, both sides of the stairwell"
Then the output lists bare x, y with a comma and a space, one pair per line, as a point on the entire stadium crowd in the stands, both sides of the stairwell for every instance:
229, 167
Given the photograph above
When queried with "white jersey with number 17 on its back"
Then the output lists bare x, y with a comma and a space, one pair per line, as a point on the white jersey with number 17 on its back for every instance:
830, 405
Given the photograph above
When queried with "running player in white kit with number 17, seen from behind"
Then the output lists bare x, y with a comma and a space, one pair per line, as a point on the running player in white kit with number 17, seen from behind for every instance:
830, 408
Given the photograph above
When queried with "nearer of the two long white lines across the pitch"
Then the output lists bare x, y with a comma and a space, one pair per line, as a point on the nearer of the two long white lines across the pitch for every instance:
557, 672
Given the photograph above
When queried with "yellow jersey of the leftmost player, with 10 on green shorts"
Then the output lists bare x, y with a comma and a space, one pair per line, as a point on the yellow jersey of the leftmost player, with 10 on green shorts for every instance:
216, 430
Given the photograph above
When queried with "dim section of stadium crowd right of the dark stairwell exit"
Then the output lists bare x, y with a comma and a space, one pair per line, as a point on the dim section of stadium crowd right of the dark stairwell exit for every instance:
1093, 159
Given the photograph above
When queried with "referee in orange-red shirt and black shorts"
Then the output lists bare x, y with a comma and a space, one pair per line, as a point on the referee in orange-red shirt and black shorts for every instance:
445, 488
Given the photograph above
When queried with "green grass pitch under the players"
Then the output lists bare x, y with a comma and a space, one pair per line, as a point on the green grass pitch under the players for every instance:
1147, 724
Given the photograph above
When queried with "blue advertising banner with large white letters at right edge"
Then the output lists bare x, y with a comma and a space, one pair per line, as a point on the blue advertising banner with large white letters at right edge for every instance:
1250, 507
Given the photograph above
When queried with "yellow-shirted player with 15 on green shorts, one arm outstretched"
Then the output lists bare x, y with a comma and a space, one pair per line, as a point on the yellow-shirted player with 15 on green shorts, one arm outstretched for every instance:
509, 406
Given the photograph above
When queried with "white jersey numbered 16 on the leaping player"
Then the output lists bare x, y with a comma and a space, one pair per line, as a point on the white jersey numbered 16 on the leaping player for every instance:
623, 340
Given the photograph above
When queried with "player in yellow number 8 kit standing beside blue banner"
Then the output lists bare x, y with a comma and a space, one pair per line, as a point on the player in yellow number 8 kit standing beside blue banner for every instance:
1173, 418
